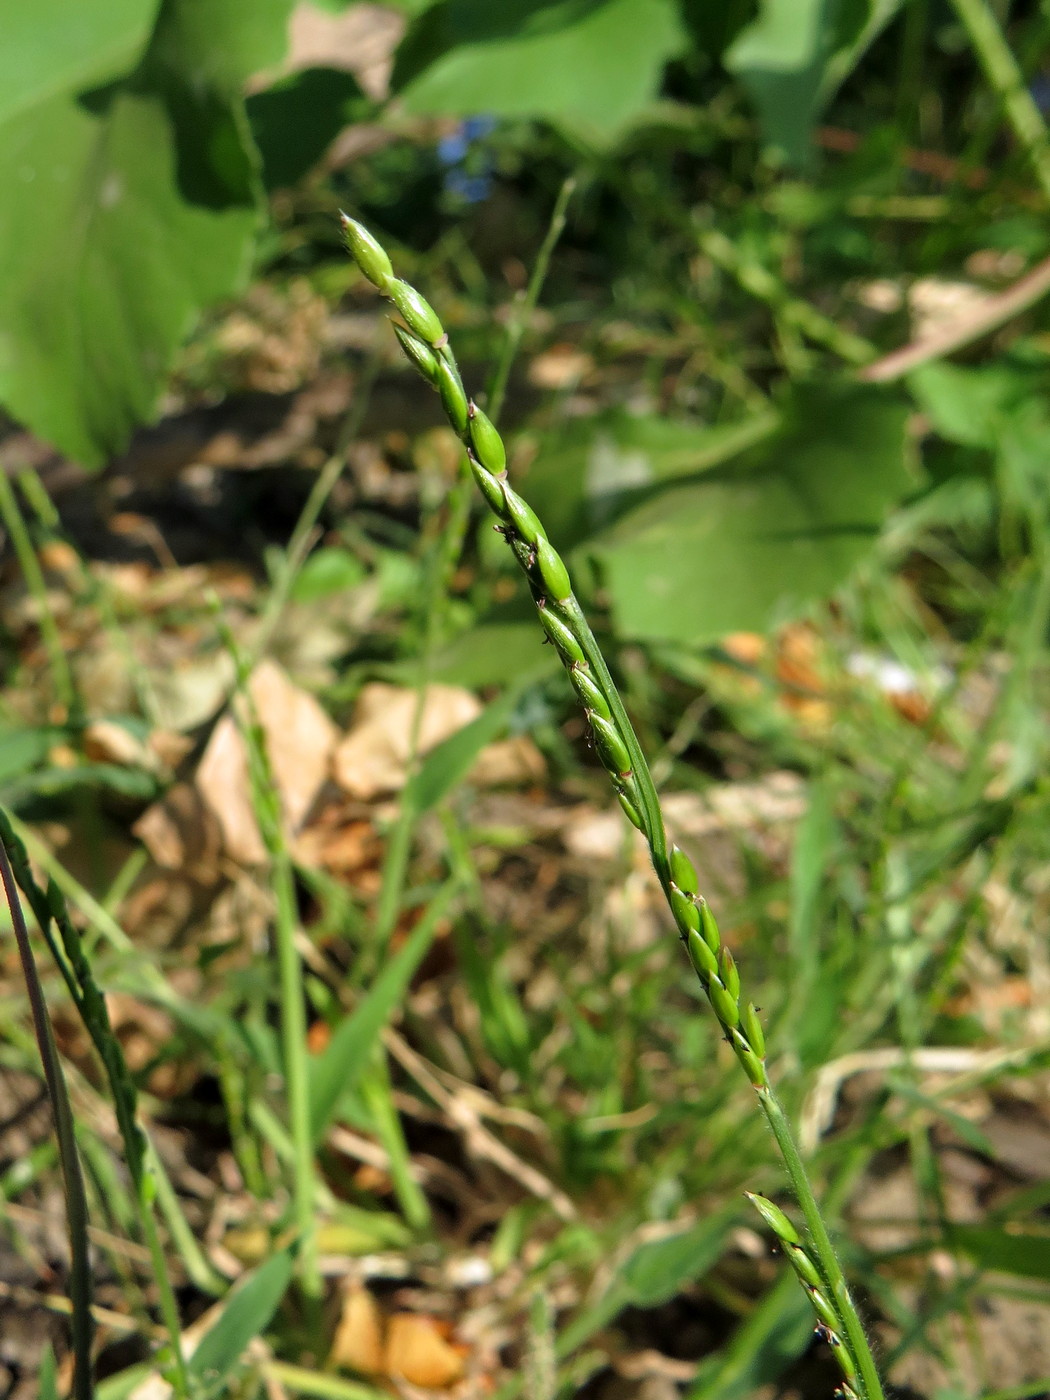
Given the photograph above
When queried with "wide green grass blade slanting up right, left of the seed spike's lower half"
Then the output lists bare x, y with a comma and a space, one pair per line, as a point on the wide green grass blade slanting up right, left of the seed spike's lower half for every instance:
346, 1056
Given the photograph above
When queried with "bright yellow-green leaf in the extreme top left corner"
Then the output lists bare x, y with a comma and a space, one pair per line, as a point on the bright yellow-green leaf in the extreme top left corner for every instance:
54, 47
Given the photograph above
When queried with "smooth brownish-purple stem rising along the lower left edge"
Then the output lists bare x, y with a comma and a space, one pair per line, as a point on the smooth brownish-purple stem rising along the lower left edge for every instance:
72, 1177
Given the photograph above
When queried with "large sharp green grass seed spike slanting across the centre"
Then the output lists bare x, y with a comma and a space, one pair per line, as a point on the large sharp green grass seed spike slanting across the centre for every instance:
617, 745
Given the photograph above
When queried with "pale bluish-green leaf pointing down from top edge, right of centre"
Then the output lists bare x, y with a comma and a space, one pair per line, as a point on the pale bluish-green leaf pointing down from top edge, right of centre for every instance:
793, 58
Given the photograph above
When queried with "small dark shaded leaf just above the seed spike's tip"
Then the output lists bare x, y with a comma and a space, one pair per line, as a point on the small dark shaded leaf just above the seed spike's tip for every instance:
297, 120
